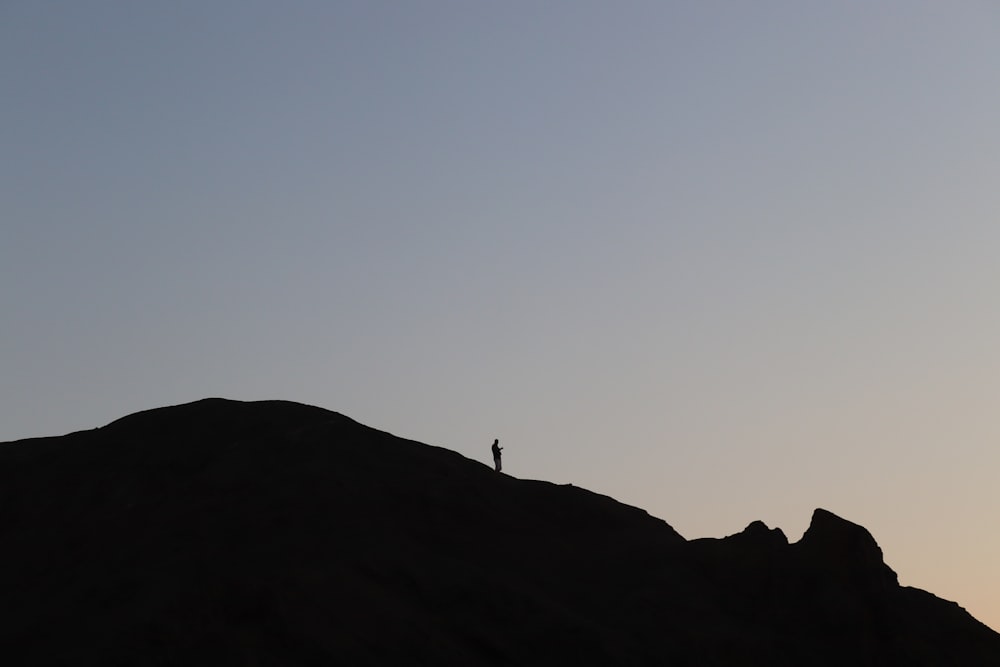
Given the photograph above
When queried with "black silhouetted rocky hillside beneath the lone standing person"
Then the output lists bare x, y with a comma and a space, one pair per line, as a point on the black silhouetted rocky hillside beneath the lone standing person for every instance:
273, 533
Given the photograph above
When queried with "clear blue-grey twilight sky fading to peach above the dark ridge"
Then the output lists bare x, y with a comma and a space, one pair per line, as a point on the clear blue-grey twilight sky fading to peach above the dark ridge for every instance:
724, 261
